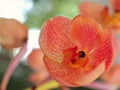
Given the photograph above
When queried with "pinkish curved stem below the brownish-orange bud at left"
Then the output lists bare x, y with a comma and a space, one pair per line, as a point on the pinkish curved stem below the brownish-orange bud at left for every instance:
12, 65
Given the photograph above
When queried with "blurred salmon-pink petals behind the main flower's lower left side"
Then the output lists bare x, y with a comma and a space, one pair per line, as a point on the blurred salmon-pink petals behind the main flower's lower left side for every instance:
35, 61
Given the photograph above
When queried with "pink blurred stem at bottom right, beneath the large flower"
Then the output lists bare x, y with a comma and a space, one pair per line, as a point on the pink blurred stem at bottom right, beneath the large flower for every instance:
101, 86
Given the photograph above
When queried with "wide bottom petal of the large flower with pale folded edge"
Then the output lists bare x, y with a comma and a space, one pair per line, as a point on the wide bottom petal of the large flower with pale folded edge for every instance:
68, 76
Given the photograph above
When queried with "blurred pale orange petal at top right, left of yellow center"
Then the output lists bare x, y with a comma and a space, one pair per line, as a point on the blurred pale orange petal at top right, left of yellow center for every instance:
93, 10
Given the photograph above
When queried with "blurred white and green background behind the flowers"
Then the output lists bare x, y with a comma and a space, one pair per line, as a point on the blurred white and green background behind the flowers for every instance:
32, 13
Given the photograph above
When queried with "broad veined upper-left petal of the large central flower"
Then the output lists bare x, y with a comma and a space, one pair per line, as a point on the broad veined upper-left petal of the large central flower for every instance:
55, 37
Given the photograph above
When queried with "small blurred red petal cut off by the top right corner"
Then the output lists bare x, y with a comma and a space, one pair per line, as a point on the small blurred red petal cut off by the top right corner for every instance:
115, 5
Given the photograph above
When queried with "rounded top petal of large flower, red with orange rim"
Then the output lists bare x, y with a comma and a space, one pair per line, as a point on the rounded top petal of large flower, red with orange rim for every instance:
86, 32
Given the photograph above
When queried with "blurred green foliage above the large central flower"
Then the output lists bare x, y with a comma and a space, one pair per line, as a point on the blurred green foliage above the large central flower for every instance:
45, 9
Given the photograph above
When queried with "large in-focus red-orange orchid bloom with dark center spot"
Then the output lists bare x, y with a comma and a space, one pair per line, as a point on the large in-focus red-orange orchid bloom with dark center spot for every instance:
76, 51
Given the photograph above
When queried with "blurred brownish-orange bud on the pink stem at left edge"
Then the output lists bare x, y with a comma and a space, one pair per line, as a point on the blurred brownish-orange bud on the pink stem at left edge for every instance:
12, 33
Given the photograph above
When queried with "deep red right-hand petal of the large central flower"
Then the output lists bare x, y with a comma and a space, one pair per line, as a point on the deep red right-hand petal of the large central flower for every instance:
103, 52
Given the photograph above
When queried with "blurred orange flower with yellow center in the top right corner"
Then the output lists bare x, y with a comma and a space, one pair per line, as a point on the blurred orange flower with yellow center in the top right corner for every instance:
101, 13
